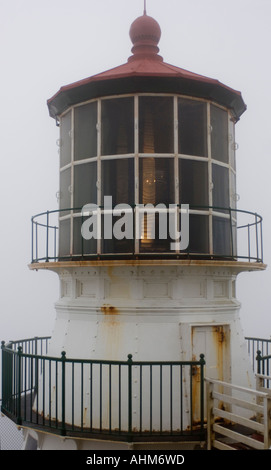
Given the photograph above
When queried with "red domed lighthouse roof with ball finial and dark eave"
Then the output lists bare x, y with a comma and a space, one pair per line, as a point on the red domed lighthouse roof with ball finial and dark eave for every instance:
144, 72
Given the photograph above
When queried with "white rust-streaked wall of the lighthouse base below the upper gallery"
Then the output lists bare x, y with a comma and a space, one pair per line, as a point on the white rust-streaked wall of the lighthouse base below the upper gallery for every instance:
151, 312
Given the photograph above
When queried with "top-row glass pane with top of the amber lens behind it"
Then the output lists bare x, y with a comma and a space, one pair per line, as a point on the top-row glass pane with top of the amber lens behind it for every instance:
156, 125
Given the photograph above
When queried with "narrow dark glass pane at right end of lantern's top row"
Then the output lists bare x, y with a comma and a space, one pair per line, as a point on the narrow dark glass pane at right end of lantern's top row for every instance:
219, 134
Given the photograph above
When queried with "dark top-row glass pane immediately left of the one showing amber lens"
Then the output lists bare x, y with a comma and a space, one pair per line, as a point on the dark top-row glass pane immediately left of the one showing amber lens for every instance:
117, 126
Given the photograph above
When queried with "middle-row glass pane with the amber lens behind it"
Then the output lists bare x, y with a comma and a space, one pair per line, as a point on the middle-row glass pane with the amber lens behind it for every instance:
156, 181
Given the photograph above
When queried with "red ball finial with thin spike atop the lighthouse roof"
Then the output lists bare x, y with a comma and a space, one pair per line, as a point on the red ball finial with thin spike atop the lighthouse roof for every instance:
145, 34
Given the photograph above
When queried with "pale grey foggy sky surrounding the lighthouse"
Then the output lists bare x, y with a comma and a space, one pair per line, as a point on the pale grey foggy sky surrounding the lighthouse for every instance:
48, 44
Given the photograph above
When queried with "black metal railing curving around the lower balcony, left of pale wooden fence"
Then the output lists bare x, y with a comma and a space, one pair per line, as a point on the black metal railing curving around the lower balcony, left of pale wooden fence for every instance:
121, 399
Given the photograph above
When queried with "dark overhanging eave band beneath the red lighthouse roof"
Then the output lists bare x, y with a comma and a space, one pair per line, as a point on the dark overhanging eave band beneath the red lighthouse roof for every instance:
99, 85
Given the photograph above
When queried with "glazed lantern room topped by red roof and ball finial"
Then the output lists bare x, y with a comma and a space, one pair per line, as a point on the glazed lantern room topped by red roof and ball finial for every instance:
139, 143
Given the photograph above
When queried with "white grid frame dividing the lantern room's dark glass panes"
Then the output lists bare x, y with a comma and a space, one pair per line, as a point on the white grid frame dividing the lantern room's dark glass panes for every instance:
177, 157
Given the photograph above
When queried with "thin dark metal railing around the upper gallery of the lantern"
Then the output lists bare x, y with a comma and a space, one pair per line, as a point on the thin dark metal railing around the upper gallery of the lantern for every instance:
214, 232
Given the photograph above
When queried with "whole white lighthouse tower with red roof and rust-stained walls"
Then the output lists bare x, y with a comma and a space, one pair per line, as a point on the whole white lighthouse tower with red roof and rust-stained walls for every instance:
142, 314
